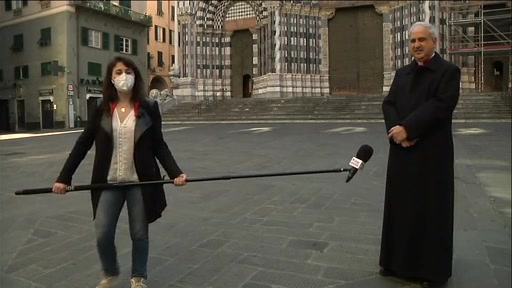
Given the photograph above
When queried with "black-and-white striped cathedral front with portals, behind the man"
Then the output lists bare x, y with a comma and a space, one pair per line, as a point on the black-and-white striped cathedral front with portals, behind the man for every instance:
266, 49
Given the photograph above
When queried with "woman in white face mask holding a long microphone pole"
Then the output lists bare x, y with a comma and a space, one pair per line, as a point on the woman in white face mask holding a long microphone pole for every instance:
126, 129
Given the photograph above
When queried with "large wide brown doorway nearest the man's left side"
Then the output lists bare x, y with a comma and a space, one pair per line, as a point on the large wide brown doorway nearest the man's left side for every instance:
356, 51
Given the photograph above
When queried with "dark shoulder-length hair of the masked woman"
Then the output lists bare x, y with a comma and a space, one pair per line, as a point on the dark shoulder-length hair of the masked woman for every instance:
110, 92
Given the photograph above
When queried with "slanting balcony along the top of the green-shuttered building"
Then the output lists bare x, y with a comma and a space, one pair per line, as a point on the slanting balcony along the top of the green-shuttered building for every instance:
116, 10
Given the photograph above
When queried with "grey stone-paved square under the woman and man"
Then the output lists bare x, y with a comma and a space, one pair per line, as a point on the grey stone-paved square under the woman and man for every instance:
297, 231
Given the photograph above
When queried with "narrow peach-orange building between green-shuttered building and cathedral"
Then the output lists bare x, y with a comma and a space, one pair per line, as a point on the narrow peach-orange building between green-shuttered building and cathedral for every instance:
162, 43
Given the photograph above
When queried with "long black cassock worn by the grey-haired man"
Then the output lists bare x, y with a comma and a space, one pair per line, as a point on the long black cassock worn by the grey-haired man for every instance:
417, 232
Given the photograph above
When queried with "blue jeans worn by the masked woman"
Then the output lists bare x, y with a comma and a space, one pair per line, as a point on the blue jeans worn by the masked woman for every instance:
107, 215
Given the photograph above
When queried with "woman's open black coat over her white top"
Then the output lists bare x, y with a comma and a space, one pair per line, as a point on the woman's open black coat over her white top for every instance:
149, 146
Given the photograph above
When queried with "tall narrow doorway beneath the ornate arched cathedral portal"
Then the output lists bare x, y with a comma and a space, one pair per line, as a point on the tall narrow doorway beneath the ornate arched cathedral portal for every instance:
241, 63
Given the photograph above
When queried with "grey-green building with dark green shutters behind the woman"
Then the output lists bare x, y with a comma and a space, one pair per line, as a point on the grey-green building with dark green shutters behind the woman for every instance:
52, 75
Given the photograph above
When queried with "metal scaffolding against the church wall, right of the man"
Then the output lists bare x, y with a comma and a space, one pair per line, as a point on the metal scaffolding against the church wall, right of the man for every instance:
479, 32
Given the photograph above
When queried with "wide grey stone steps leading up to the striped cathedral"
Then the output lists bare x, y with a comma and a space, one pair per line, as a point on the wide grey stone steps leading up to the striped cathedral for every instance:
332, 108
